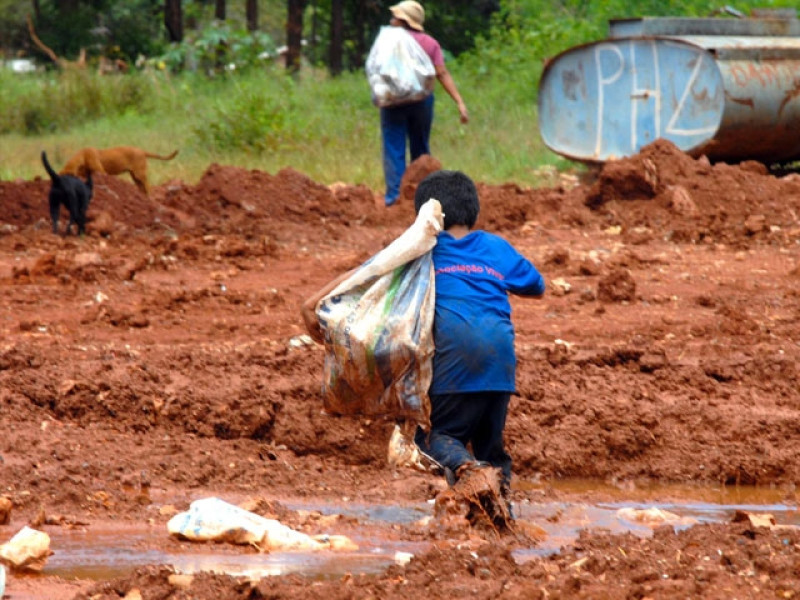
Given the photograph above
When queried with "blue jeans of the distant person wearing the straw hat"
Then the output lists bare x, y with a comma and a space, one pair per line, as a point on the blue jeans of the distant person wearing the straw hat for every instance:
412, 121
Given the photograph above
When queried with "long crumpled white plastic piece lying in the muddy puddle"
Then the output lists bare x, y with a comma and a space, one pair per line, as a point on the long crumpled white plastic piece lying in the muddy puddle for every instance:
212, 519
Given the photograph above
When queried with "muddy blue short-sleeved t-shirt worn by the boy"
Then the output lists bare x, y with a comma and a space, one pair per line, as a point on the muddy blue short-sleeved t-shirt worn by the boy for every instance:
472, 327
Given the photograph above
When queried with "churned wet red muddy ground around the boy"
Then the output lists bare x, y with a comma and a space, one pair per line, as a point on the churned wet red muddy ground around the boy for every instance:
161, 359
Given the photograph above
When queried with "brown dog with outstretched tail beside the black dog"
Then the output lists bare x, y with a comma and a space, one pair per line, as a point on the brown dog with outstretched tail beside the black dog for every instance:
113, 161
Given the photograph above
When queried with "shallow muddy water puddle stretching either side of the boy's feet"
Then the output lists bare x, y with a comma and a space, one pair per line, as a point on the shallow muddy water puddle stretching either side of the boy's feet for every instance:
94, 554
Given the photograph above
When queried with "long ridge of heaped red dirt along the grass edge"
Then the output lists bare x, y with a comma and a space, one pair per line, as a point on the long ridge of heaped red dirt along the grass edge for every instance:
660, 192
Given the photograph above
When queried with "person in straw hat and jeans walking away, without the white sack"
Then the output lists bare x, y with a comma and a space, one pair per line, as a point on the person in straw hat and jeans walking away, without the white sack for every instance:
413, 121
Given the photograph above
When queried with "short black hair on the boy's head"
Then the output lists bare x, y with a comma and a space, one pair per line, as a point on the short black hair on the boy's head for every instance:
455, 192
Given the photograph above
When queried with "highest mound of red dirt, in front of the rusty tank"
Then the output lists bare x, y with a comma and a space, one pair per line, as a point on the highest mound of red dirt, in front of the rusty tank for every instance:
687, 200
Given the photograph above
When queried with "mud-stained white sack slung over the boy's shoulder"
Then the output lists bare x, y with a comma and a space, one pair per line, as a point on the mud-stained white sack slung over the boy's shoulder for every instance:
378, 328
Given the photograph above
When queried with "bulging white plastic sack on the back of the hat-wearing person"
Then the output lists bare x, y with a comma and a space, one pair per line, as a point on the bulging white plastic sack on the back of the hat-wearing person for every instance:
399, 71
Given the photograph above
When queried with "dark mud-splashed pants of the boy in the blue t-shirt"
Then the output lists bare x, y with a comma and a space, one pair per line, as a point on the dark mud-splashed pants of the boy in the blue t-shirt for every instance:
460, 419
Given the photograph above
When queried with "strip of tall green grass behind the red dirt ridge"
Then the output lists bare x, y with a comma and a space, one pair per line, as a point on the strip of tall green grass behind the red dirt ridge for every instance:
323, 127
